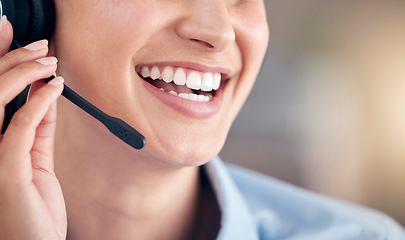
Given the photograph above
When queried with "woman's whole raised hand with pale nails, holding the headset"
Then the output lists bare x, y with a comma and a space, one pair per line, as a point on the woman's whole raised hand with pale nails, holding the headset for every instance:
31, 201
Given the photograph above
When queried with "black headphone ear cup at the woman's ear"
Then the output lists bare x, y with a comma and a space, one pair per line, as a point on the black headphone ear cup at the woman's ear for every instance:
32, 20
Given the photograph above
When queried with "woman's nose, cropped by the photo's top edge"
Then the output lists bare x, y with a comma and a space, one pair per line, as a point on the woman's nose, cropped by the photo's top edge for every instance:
208, 24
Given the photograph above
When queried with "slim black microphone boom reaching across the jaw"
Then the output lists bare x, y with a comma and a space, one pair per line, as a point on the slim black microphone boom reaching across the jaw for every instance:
116, 126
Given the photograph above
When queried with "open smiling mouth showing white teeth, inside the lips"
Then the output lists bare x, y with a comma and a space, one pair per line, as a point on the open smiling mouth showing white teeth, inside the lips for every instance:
184, 83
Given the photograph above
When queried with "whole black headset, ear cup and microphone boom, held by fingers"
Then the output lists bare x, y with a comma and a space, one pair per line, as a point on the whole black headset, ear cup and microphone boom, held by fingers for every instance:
34, 20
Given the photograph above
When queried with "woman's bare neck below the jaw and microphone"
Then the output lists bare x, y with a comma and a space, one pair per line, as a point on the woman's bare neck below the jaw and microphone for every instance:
118, 193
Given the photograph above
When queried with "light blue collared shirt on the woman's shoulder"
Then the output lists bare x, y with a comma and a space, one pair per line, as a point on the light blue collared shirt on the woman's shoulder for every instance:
255, 206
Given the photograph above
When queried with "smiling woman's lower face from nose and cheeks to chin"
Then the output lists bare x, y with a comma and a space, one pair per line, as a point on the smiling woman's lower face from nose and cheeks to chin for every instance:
102, 46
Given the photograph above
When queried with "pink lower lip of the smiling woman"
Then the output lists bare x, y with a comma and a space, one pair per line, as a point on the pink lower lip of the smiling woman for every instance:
188, 107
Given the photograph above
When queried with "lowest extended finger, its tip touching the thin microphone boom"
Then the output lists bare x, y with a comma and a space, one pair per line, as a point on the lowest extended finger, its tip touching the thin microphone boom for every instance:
20, 134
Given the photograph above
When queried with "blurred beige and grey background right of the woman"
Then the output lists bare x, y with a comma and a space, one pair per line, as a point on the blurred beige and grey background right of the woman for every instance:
328, 110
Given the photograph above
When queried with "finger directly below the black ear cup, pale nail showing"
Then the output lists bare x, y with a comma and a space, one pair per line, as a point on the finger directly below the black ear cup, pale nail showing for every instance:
30, 52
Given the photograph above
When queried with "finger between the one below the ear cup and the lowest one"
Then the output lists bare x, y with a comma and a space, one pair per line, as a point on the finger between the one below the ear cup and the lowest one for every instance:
18, 78
